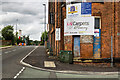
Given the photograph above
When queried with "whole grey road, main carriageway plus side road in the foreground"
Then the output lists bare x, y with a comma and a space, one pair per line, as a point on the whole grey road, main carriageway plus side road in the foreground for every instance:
11, 67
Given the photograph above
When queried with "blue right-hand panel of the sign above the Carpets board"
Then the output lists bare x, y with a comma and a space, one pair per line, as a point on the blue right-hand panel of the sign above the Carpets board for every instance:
86, 8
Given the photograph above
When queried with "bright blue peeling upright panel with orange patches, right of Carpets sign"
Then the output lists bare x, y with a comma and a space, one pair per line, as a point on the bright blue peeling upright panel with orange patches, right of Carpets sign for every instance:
97, 45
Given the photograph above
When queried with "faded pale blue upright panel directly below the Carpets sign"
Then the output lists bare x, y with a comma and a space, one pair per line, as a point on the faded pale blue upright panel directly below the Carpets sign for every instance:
76, 46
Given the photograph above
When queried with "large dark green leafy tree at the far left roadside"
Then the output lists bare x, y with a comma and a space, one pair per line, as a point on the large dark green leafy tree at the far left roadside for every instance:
7, 33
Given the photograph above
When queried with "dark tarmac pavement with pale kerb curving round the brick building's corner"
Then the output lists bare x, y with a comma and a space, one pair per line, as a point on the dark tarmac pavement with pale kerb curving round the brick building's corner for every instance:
37, 58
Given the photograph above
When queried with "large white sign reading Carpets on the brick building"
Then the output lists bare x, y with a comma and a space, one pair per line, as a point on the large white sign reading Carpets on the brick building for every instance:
79, 26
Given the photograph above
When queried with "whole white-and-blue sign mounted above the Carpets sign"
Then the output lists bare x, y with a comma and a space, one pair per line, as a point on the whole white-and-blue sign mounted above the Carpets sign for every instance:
79, 9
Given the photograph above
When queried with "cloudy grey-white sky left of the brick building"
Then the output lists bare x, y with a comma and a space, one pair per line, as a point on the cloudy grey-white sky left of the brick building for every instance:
27, 15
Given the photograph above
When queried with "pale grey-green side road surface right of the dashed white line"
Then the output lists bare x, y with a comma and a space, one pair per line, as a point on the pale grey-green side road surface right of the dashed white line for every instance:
31, 74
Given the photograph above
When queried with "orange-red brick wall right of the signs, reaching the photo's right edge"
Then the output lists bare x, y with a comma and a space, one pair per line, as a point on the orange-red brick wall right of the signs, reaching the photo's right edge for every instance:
109, 19
